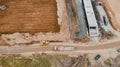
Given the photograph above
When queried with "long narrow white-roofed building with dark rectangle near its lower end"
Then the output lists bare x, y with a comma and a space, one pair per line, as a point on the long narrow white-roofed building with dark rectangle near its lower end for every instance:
90, 17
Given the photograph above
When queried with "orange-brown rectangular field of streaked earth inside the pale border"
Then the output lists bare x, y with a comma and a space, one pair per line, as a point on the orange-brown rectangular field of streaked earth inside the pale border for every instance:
29, 16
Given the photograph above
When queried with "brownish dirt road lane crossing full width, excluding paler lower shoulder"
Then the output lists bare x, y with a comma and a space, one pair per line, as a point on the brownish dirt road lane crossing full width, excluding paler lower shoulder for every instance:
36, 48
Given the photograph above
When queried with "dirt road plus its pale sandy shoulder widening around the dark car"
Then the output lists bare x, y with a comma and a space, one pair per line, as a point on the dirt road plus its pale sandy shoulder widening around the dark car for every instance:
105, 50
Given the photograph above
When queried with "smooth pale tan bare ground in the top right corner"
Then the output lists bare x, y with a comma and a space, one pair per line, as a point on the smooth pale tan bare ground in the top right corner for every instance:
113, 8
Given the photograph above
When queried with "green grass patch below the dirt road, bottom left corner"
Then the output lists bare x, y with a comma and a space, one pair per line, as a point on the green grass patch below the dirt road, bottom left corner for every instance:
33, 61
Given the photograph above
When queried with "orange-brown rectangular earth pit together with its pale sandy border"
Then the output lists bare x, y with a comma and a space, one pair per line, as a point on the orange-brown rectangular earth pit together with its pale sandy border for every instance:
31, 21
